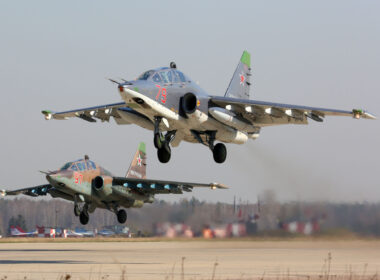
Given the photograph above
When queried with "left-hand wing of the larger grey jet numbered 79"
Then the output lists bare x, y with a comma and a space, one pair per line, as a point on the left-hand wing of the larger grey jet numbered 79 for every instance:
90, 114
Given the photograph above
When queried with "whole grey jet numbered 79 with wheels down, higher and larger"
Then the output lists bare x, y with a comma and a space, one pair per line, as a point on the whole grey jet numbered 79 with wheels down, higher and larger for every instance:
166, 101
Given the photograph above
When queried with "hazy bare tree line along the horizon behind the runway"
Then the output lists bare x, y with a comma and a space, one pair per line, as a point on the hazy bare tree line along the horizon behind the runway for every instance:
361, 218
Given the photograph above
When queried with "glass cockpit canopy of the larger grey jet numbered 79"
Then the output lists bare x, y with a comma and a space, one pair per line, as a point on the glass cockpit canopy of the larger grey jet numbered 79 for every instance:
164, 75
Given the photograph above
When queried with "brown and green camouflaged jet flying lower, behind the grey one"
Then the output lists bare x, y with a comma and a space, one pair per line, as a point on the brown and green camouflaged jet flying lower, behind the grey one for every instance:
90, 186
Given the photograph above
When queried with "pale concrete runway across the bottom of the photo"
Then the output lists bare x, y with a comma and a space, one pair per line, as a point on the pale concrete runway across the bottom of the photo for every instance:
163, 259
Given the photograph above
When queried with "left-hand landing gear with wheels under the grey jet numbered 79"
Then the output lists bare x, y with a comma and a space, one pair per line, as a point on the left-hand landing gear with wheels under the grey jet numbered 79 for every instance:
162, 142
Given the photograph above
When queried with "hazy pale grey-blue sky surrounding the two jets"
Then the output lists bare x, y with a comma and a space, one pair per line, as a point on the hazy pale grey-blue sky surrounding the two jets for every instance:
56, 54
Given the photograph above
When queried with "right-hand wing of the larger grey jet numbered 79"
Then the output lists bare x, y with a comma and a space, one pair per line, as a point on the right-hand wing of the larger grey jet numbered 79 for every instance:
261, 113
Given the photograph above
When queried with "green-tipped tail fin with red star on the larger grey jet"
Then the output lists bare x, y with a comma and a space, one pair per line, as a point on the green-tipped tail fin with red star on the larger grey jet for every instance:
240, 82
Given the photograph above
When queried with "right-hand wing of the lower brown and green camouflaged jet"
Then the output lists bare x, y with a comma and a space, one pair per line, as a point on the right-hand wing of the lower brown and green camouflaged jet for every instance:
149, 186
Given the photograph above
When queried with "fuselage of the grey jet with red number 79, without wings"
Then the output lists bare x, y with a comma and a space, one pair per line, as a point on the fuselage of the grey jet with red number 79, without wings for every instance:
167, 90
